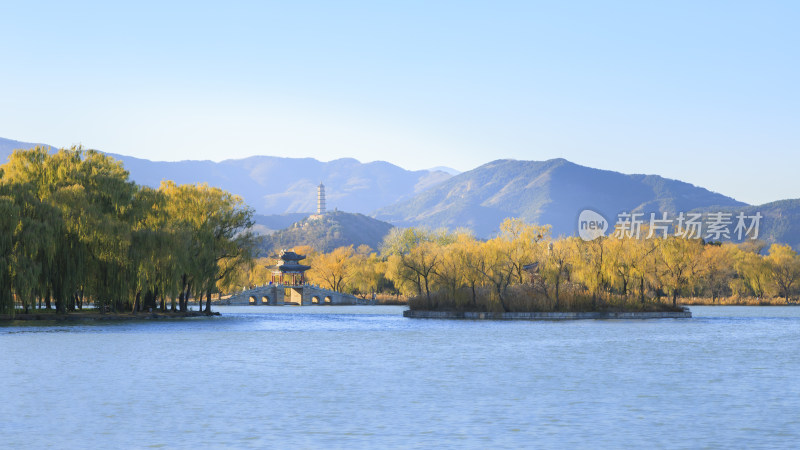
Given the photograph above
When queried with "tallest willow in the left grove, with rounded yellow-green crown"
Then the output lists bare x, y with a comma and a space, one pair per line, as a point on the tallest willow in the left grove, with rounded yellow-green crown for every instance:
95, 196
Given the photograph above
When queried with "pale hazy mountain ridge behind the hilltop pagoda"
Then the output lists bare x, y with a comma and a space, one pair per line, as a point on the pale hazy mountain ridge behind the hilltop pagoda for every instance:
274, 185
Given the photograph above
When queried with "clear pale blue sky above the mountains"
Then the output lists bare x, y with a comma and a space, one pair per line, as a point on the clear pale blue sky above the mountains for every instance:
704, 91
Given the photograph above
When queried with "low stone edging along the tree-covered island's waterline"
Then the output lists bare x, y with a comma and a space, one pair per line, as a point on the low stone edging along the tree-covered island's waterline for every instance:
587, 315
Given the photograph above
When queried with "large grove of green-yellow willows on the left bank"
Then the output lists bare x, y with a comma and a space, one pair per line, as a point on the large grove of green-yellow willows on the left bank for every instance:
74, 229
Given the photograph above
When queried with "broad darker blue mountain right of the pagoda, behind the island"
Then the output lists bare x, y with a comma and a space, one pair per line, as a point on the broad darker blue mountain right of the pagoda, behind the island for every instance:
546, 192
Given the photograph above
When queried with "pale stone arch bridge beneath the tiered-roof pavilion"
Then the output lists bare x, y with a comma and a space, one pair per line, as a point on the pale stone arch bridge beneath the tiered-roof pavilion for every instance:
279, 294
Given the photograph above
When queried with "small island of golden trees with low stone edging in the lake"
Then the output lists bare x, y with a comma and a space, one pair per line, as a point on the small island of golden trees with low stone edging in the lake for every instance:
524, 275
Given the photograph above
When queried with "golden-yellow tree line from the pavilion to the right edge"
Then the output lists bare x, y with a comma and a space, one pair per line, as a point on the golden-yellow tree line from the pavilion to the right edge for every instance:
525, 269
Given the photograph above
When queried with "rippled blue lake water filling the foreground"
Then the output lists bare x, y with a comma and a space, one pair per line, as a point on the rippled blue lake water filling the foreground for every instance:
364, 376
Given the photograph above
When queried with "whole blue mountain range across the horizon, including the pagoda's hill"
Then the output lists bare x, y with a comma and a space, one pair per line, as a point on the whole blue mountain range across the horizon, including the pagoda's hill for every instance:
283, 191
